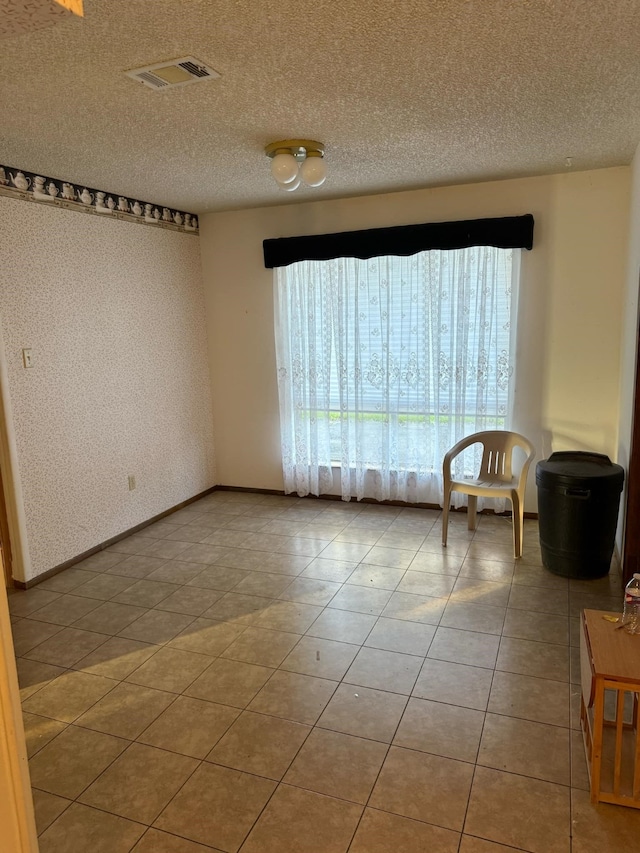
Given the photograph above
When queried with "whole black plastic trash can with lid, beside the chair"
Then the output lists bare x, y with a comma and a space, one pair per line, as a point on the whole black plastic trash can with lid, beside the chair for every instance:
578, 500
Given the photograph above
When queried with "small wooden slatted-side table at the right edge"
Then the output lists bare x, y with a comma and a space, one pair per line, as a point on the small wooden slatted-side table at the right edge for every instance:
610, 711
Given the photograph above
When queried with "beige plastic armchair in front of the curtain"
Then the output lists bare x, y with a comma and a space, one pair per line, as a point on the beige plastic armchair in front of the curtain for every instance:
495, 479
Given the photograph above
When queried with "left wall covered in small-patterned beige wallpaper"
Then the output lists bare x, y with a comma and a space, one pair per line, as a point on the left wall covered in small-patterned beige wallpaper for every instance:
114, 315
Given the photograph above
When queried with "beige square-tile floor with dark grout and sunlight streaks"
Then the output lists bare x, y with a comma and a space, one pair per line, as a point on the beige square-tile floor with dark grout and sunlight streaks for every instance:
279, 675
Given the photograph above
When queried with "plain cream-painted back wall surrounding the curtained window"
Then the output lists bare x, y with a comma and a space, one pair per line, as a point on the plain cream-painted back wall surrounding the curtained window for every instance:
570, 316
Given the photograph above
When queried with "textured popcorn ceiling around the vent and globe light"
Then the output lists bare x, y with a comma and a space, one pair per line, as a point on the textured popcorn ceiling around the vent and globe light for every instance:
404, 94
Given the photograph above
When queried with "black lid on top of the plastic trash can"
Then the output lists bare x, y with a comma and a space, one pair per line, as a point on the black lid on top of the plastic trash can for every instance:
571, 467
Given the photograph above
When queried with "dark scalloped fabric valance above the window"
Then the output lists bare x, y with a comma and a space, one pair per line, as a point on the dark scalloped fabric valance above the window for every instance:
507, 232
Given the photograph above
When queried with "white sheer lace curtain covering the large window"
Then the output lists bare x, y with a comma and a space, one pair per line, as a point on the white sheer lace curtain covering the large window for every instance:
383, 364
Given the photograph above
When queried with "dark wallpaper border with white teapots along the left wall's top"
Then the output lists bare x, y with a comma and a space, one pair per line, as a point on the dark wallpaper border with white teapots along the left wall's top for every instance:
30, 186
